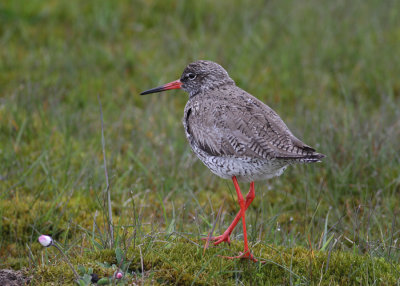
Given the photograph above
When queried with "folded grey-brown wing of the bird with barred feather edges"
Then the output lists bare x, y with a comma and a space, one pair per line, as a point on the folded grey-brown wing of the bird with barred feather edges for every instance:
244, 126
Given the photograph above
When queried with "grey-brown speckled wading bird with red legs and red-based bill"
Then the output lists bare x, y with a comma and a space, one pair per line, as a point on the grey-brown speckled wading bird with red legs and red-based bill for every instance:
235, 135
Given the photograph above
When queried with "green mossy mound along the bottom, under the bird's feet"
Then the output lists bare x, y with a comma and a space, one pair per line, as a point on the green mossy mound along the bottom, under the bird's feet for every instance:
183, 263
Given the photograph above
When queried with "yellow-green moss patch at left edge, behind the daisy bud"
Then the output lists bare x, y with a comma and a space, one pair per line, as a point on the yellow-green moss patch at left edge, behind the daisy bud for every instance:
22, 217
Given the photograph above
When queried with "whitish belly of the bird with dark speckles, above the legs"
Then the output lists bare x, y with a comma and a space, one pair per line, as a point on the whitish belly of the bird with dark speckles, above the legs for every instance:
244, 168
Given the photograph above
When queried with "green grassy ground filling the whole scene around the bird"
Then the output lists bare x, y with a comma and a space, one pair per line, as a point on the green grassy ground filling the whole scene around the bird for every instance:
329, 69
